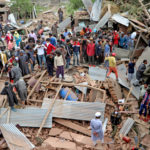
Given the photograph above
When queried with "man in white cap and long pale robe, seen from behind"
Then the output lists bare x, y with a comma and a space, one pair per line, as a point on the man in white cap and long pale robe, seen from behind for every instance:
97, 131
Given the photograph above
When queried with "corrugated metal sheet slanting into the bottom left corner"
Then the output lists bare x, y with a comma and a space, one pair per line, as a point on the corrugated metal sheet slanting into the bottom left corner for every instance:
15, 139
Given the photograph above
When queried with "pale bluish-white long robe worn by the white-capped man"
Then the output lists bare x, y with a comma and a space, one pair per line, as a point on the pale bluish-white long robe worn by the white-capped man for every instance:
96, 126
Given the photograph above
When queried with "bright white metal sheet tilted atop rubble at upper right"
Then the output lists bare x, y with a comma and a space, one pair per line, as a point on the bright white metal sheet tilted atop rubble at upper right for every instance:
120, 19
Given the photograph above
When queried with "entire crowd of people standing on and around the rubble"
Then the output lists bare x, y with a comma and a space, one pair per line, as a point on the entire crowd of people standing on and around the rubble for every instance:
55, 52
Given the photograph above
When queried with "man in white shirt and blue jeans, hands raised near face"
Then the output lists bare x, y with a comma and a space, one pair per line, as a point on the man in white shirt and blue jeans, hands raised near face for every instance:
41, 53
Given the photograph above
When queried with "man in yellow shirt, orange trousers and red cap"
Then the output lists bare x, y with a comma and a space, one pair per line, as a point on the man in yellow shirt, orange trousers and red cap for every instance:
112, 65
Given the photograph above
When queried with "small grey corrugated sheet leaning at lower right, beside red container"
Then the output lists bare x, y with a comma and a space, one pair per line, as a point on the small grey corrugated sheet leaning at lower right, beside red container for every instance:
127, 126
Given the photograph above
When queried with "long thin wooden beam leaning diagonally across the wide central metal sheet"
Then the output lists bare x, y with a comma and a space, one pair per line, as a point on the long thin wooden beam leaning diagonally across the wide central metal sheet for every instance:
48, 111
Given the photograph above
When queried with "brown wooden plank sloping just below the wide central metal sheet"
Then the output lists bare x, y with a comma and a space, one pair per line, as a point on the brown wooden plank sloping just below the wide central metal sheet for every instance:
73, 126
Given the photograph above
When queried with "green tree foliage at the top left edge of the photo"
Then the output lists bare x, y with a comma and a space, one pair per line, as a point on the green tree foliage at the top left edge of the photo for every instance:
23, 8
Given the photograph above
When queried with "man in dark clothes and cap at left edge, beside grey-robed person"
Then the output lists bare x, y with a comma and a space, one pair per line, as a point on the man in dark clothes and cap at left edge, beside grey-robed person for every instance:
12, 99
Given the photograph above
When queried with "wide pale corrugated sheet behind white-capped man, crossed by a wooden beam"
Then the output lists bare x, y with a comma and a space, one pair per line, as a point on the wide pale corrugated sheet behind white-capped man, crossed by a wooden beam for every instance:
74, 110
